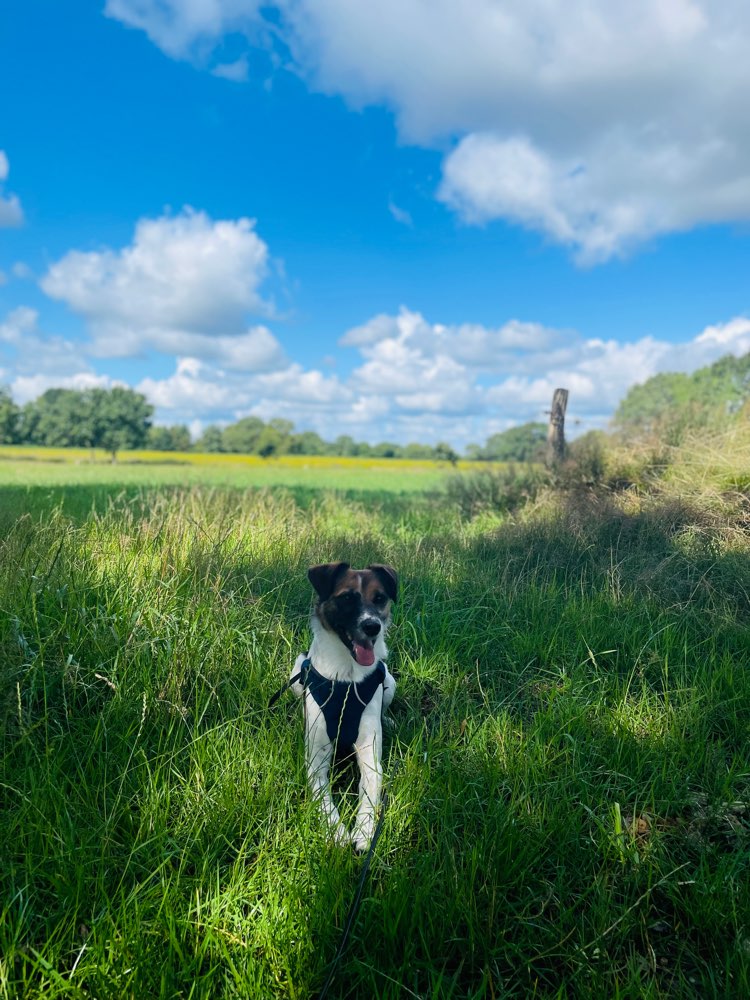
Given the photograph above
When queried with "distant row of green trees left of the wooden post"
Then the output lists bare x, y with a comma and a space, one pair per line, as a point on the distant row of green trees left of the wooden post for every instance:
121, 419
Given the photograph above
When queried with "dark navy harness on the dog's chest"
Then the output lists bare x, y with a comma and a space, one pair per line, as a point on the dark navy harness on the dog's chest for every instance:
341, 702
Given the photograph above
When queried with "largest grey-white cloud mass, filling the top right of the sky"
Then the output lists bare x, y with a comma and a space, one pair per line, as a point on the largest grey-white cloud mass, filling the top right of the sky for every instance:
600, 128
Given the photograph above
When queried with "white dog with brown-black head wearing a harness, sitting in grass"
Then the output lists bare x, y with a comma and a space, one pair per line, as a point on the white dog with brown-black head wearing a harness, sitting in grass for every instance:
346, 686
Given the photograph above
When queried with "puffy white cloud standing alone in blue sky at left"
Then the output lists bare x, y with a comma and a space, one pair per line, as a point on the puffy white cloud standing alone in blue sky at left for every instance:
185, 286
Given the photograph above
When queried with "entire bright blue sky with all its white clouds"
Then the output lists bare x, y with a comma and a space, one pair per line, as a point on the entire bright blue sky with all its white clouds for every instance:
372, 219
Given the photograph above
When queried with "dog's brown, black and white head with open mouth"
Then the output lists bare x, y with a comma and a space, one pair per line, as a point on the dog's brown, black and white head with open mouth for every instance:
355, 604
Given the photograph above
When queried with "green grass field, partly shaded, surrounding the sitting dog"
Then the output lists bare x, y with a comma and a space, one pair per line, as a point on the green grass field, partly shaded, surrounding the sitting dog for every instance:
569, 762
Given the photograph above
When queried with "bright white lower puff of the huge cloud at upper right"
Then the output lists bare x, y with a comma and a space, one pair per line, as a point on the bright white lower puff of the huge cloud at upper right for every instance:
618, 195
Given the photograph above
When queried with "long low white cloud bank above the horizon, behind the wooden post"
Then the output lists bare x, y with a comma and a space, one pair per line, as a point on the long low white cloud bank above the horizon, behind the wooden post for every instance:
417, 380
